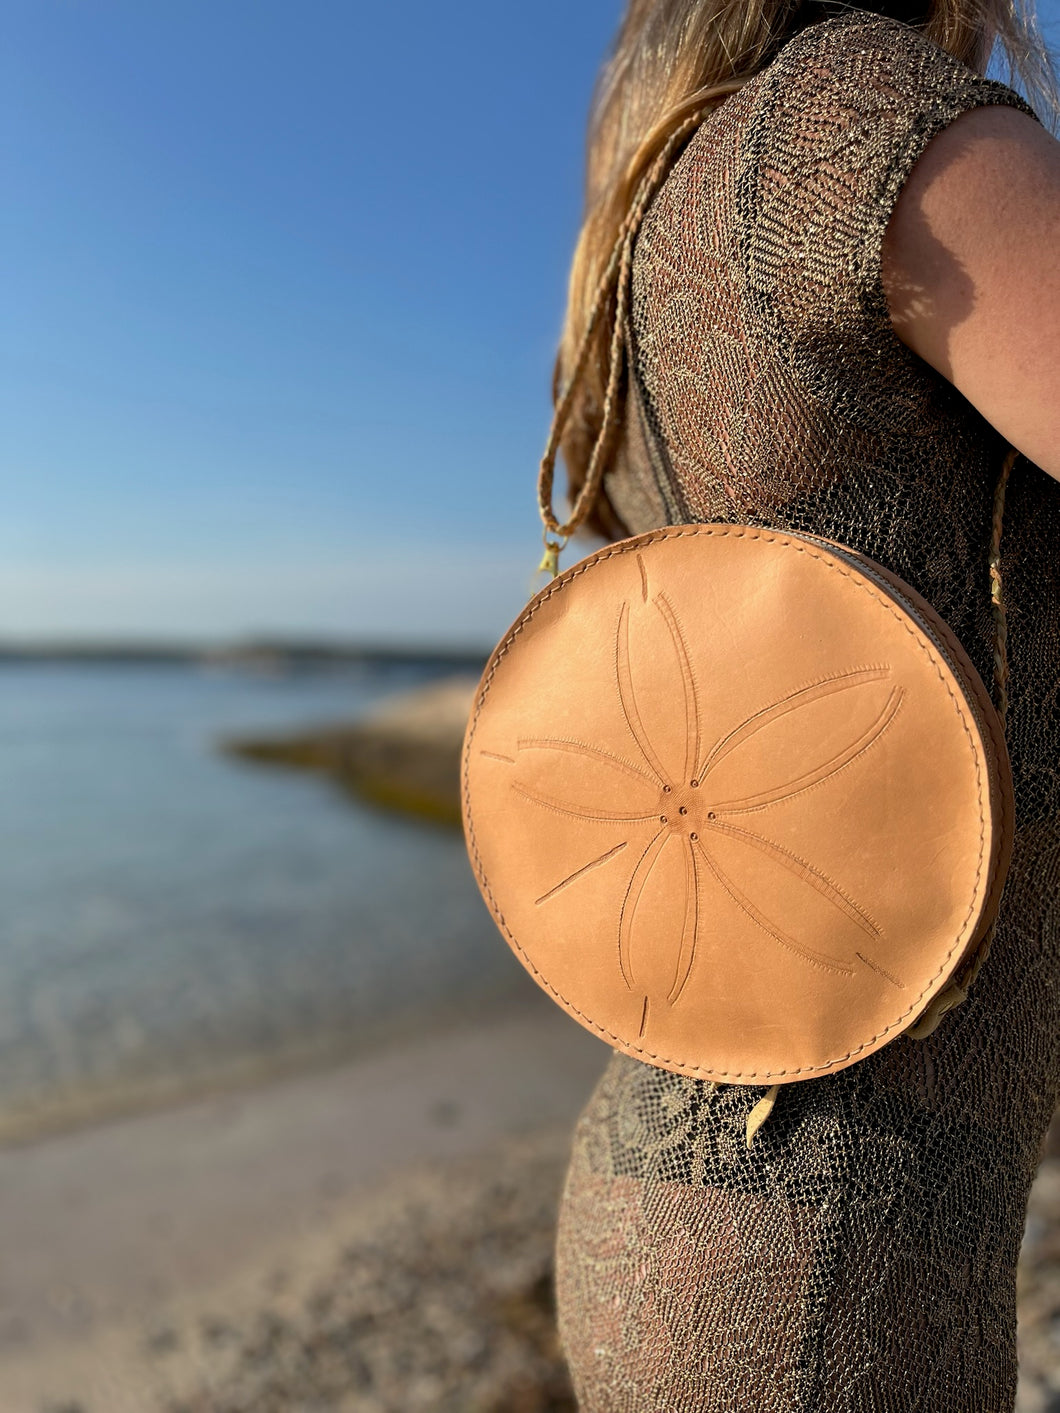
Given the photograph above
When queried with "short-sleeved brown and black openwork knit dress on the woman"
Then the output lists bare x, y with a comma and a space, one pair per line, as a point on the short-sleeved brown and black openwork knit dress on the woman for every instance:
860, 1257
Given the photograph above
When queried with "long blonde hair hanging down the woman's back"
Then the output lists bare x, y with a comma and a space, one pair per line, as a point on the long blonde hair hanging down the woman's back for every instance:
671, 64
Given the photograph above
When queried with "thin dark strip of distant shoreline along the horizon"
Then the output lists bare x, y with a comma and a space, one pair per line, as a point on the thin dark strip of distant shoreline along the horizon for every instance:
257, 655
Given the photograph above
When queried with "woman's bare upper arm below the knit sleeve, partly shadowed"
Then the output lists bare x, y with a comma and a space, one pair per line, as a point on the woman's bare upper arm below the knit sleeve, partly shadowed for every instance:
972, 271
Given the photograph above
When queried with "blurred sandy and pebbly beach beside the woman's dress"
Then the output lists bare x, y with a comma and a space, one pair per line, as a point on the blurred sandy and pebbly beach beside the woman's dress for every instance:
374, 1238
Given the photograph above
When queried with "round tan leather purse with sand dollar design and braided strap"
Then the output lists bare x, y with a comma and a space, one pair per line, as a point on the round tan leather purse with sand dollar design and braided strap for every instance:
737, 798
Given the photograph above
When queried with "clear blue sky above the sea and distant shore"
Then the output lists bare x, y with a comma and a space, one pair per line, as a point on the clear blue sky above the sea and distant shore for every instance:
282, 290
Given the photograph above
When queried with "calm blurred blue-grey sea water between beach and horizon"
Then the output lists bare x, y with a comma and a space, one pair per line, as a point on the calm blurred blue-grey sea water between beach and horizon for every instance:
170, 916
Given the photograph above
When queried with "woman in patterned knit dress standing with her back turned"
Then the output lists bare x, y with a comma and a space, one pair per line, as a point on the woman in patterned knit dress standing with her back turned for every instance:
846, 300
